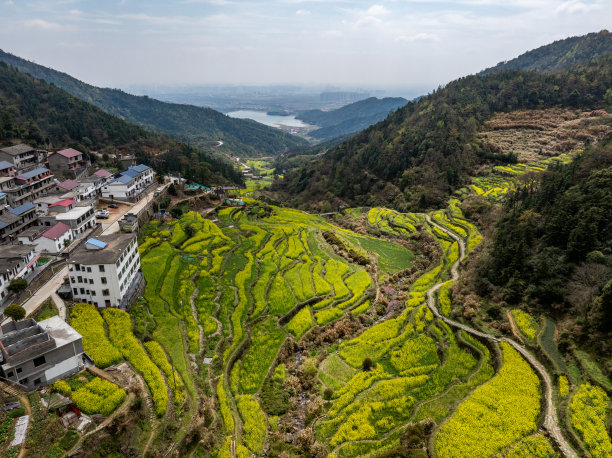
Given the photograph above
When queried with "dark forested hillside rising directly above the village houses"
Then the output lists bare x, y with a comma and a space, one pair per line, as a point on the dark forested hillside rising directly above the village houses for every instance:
44, 115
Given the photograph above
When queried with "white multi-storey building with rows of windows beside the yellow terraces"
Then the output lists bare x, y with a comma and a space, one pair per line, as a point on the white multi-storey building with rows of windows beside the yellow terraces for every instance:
105, 271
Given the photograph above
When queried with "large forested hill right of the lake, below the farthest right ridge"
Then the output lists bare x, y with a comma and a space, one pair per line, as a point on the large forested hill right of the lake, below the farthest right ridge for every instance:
425, 150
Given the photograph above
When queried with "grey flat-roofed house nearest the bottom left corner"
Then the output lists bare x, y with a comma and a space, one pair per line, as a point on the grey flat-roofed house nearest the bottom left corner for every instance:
37, 354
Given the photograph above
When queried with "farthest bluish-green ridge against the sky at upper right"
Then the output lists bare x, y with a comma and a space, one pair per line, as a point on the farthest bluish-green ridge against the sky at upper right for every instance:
560, 55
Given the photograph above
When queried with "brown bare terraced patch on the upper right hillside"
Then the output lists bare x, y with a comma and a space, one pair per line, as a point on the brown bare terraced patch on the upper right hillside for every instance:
536, 134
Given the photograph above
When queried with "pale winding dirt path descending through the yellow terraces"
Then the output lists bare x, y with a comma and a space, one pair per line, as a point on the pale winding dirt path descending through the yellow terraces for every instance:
551, 422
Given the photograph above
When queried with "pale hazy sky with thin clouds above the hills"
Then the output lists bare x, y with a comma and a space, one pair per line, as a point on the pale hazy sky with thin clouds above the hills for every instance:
359, 43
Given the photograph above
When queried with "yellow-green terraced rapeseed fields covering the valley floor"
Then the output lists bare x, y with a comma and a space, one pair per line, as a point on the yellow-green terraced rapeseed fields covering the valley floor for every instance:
306, 337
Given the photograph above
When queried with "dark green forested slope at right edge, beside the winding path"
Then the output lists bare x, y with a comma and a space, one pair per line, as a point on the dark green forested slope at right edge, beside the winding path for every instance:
552, 248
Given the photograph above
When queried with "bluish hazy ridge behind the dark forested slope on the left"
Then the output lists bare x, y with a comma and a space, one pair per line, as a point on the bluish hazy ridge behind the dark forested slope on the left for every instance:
201, 127
